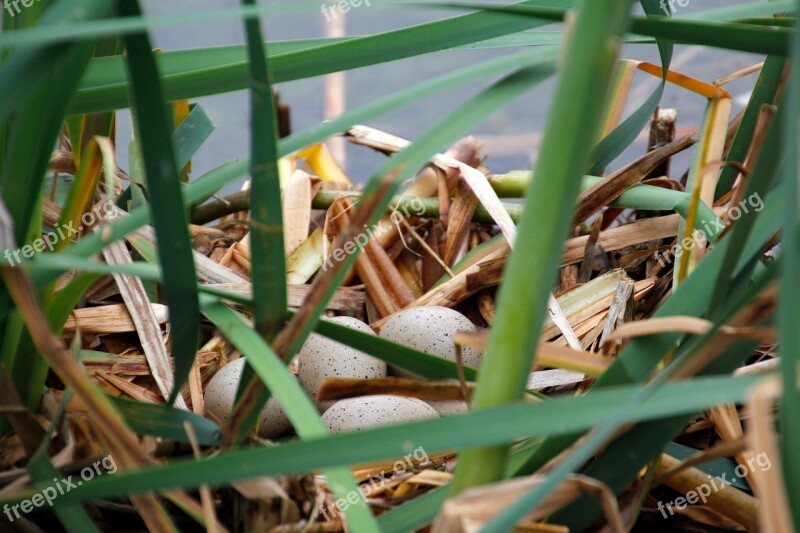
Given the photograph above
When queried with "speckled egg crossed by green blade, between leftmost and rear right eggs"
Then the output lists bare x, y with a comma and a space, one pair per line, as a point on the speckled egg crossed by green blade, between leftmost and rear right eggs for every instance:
321, 358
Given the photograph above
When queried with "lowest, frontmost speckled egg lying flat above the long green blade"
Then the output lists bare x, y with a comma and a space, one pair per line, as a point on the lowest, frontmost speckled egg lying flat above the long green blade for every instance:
355, 414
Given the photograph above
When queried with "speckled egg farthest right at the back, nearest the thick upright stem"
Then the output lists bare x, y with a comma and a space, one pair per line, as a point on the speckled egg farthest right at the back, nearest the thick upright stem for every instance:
430, 329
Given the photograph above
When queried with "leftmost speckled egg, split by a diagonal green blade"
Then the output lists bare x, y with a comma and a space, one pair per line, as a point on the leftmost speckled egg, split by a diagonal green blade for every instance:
221, 393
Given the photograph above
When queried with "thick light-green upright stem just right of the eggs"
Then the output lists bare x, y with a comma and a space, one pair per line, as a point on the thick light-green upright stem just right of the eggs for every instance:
573, 125
